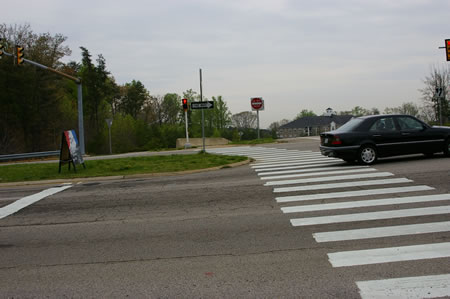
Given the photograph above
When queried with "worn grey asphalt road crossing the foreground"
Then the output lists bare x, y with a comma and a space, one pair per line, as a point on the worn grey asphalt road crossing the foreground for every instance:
222, 234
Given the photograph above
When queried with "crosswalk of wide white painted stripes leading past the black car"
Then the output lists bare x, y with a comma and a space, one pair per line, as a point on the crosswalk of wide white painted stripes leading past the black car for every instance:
300, 177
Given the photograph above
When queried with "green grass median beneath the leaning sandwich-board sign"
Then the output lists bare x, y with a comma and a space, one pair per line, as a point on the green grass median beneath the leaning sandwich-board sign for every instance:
115, 167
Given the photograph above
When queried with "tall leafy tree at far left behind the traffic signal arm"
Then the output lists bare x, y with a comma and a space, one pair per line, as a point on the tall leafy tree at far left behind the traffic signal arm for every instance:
31, 116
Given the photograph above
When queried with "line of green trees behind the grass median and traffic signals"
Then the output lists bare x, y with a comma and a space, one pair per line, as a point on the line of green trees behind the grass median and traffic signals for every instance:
37, 105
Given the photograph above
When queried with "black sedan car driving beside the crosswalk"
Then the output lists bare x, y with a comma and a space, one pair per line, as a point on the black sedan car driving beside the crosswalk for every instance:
367, 138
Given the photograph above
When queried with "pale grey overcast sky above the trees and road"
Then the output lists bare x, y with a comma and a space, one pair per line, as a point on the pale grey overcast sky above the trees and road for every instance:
295, 54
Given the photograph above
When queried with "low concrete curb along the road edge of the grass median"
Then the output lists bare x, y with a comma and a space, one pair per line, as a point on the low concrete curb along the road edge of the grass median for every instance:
122, 177
